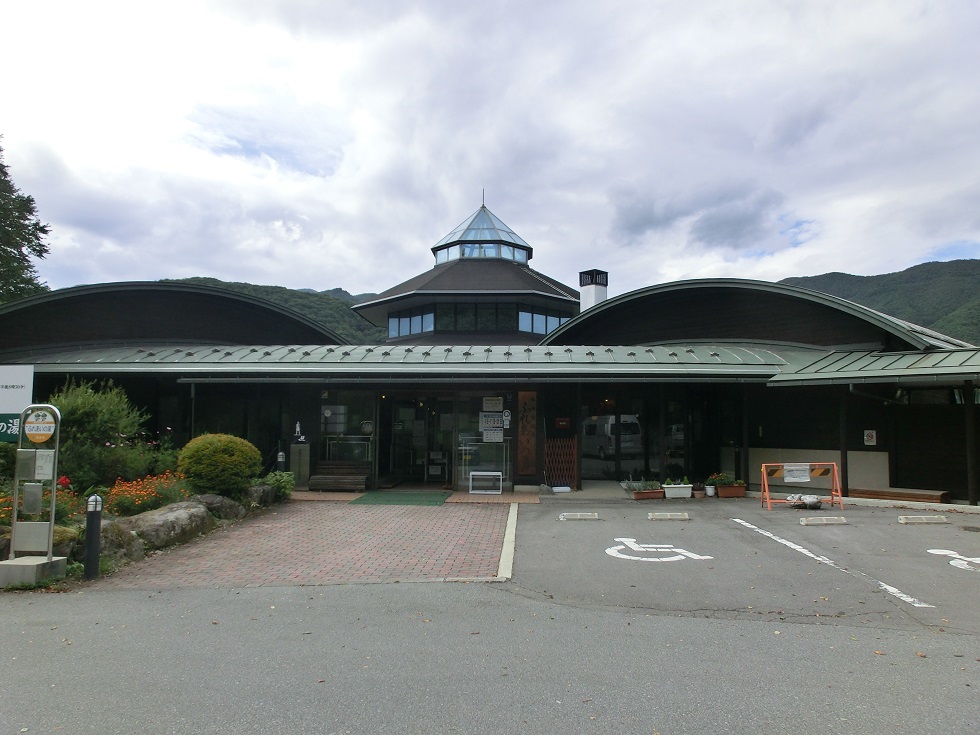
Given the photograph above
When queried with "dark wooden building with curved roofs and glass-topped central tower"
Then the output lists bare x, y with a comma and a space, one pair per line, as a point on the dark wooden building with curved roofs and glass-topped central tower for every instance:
492, 367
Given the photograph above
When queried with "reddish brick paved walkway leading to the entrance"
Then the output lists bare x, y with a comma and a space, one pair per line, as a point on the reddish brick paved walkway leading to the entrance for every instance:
303, 543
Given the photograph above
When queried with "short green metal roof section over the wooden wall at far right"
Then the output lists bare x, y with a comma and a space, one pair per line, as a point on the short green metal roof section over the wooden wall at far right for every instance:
946, 367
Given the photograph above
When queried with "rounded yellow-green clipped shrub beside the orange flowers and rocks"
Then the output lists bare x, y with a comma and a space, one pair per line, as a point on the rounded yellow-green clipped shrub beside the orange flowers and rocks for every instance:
219, 463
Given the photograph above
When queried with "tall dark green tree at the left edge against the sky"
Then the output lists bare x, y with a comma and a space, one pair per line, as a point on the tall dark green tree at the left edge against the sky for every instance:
21, 238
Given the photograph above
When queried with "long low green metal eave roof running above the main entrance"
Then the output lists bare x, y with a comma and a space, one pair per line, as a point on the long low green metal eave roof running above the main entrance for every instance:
436, 363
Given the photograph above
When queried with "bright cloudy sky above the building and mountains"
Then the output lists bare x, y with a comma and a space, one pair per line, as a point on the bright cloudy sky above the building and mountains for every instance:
321, 143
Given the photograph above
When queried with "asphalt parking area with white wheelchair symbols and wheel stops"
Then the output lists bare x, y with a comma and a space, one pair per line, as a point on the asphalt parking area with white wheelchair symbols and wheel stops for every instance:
735, 560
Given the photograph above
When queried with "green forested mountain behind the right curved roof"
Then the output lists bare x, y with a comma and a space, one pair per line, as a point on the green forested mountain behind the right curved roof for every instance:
941, 296
